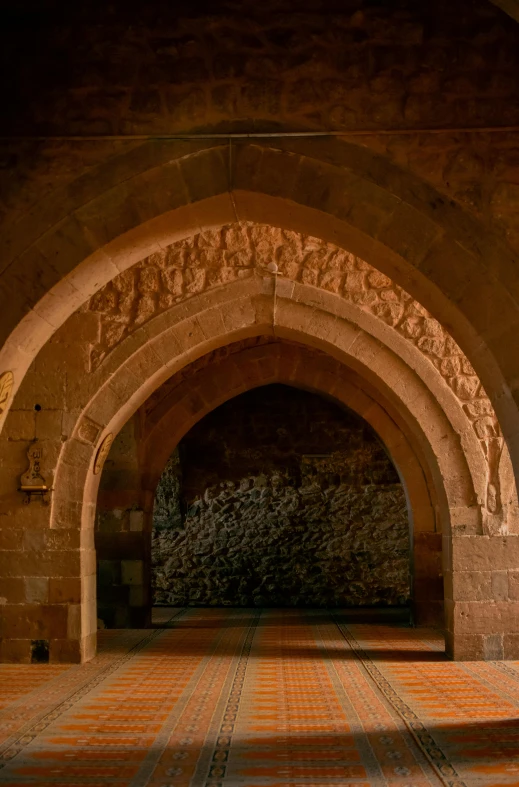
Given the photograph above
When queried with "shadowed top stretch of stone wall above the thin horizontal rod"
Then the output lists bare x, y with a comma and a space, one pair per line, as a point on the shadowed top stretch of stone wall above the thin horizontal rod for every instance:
137, 69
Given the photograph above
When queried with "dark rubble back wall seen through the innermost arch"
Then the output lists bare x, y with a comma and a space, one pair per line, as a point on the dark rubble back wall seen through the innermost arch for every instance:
280, 498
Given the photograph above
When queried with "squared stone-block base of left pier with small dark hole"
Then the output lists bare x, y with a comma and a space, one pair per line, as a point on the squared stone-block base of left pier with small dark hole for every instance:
45, 576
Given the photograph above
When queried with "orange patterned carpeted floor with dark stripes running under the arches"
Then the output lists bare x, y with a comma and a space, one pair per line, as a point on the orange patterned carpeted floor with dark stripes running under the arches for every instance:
248, 698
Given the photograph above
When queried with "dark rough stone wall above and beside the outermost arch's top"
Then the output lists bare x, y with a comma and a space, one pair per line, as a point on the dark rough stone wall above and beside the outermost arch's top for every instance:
345, 66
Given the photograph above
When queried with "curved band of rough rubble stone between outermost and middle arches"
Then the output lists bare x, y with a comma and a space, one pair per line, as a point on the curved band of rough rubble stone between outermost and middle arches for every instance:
241, 250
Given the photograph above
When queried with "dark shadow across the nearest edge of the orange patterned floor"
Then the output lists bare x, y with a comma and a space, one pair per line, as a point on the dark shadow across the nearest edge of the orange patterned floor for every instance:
473, 749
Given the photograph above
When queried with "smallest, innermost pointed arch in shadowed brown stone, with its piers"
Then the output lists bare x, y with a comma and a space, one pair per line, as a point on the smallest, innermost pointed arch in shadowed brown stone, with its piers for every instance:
124, 520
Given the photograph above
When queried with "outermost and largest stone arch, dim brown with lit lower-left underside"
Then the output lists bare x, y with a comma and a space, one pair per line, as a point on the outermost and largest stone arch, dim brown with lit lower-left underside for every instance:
457, 270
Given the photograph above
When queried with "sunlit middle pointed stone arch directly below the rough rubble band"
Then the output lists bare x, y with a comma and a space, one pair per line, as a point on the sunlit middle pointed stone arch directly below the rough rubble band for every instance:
100, 400
